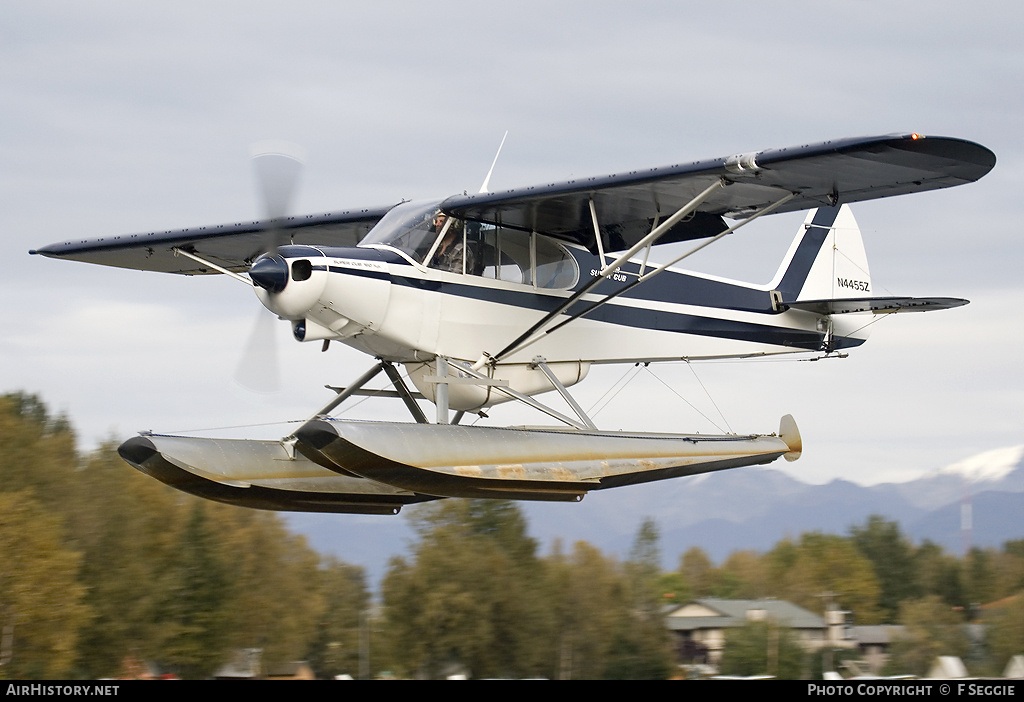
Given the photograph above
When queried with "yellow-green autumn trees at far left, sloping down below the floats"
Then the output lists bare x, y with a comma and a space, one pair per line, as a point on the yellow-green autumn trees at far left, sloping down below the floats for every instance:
104, 569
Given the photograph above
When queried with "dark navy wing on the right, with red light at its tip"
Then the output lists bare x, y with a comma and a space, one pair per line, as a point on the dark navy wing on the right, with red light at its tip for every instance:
825, 174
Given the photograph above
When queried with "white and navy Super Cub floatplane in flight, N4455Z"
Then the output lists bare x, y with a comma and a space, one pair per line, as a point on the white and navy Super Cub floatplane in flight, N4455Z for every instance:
498, 297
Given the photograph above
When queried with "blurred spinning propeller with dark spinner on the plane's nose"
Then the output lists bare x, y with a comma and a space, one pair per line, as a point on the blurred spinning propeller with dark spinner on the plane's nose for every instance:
278, 168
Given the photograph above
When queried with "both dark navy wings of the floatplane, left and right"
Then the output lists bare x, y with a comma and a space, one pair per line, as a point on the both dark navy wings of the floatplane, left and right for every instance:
625, 205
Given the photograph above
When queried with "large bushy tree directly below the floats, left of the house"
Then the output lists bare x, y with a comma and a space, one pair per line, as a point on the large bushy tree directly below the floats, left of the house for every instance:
470, 600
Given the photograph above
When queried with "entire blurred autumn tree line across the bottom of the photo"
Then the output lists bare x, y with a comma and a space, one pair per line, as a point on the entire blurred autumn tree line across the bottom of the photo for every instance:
103, 569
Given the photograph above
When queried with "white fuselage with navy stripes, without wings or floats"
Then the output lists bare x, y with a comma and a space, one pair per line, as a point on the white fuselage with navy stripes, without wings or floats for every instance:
380, 300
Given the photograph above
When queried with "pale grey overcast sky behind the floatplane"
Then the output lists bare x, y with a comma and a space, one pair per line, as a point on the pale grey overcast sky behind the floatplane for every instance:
119, 118
